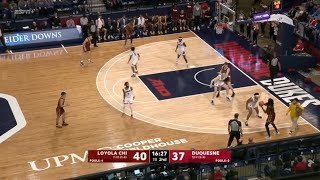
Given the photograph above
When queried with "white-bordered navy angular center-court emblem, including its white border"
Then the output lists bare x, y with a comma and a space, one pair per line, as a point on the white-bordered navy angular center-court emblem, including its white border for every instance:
11, 117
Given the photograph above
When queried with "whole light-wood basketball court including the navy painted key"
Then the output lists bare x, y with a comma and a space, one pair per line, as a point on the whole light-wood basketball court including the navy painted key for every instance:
172, 107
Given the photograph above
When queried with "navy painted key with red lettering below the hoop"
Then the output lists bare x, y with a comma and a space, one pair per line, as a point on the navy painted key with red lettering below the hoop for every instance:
173, 84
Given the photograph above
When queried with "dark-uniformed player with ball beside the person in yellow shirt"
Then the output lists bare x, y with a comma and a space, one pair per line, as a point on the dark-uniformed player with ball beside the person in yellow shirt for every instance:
271, 117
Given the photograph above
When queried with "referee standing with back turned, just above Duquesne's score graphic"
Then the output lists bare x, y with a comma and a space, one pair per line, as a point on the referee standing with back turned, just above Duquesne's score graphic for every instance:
235, 130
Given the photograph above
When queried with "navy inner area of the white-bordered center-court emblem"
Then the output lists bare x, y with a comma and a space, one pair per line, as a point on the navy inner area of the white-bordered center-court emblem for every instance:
7, 119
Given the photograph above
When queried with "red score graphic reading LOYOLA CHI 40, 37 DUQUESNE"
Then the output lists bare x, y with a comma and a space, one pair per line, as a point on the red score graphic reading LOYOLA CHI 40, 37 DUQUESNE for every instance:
159, 156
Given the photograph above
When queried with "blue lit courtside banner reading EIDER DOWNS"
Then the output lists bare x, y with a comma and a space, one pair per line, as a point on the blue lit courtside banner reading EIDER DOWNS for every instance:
42, 37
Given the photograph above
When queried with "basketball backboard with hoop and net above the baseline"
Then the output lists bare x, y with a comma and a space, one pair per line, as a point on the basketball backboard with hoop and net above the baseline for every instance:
226, 15
